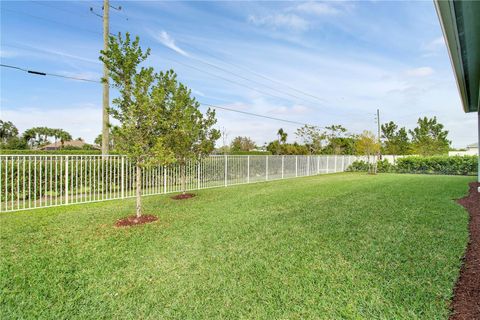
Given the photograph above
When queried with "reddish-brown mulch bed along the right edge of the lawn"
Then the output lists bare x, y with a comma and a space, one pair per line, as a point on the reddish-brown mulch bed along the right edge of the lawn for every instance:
466, 294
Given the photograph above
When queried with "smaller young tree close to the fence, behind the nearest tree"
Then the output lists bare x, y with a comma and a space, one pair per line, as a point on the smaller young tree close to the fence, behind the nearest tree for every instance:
190, 135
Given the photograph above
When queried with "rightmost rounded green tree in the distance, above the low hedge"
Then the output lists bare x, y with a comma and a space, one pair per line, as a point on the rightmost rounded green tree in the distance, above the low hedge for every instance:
429, 138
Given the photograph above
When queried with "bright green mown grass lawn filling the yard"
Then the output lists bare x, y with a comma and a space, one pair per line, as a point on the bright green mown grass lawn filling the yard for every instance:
348, 246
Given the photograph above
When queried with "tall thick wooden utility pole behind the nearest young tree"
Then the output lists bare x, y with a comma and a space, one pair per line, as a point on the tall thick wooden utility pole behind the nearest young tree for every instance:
106, 87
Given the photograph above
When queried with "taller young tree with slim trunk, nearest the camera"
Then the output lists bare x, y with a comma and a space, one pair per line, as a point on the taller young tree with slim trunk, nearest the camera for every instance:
140, 106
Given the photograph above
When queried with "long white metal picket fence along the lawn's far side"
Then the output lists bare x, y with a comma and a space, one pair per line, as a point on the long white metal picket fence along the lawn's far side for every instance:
37, 181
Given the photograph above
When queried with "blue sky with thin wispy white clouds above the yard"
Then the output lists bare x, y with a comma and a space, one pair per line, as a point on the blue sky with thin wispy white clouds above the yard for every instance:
320, 63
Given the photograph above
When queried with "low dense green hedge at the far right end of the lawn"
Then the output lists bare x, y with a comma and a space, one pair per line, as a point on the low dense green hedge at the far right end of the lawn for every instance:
457, 165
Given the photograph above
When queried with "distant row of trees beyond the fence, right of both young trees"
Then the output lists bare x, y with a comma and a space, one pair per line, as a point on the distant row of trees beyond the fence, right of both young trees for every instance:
427, 138
